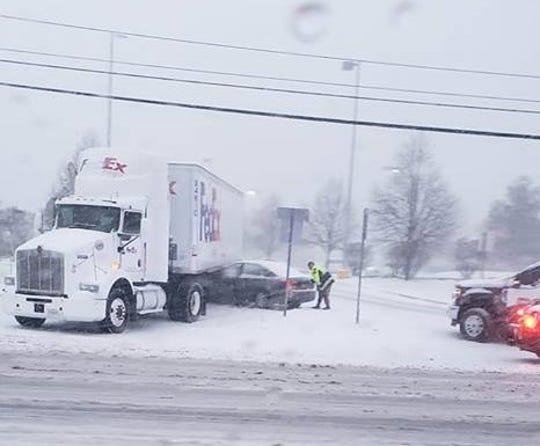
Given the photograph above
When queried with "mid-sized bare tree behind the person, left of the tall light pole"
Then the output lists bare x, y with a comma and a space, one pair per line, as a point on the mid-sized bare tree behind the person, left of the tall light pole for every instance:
328, 220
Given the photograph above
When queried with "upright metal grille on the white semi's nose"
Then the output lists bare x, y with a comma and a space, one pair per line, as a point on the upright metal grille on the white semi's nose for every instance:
40, 272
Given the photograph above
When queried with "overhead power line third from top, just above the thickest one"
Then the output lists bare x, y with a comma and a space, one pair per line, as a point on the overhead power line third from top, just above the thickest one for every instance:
270, 89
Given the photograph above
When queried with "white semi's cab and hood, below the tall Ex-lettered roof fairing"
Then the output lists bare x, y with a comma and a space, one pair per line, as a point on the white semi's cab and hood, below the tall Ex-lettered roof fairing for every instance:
68, 273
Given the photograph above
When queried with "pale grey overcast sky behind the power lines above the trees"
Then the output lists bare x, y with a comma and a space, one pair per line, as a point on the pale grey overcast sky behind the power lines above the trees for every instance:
291, 158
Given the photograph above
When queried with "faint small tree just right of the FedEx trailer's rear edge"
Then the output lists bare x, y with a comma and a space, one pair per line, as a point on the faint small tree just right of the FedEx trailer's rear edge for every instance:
264, 230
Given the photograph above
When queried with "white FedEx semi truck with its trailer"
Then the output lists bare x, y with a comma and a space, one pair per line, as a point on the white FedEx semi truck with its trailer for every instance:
133, 239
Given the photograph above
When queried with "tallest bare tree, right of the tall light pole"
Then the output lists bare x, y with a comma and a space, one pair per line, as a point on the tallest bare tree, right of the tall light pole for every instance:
414, 213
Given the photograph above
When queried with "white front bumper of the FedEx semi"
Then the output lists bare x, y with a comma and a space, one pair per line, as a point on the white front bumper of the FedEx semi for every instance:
81, 307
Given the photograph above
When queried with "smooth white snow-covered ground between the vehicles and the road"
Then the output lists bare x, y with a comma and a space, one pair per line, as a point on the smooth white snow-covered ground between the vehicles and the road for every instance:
403, 324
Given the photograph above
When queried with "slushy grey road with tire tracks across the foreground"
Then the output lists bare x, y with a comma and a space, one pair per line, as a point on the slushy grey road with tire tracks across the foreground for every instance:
76, 398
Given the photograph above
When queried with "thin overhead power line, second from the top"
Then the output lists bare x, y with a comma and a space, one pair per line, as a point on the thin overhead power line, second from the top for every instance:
274, 78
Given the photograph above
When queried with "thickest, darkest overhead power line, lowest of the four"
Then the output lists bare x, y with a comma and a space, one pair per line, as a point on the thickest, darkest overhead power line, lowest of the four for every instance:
240, 111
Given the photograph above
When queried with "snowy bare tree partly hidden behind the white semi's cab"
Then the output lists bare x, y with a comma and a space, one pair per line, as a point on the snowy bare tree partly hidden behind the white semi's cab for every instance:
65, 182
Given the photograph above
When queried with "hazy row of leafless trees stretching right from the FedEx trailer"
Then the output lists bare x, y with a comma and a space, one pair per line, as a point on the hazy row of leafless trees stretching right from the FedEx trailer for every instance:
414, 217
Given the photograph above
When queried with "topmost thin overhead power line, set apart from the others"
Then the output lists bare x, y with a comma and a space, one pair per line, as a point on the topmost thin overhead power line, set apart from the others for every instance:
266, 50
